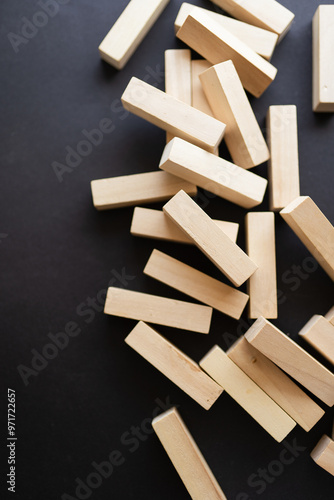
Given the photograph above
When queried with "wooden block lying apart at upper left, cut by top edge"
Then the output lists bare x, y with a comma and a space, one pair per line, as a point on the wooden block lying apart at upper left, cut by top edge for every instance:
129, 31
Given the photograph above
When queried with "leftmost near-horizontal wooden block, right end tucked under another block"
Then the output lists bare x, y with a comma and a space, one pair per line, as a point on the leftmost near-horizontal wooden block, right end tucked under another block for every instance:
129, 190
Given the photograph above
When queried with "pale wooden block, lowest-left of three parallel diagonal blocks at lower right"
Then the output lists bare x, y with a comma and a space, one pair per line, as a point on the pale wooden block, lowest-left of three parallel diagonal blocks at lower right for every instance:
247, 394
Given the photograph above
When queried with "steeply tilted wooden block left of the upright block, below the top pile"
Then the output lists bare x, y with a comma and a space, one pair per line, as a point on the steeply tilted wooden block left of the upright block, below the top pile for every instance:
230, 104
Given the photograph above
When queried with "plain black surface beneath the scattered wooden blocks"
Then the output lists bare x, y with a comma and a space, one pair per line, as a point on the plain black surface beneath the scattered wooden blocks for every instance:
59, 251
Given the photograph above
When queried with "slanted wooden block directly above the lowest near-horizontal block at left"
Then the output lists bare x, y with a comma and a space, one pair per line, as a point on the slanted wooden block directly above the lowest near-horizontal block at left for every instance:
196, 284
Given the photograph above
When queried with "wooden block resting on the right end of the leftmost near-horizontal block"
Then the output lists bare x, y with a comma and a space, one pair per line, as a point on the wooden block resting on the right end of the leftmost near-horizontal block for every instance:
213, 174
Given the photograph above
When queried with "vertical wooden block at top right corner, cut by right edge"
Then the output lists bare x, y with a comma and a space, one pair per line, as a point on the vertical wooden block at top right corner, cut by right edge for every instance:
323, 64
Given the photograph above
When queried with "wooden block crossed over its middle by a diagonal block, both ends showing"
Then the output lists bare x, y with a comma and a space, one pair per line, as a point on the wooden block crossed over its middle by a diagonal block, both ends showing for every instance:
149, 223
